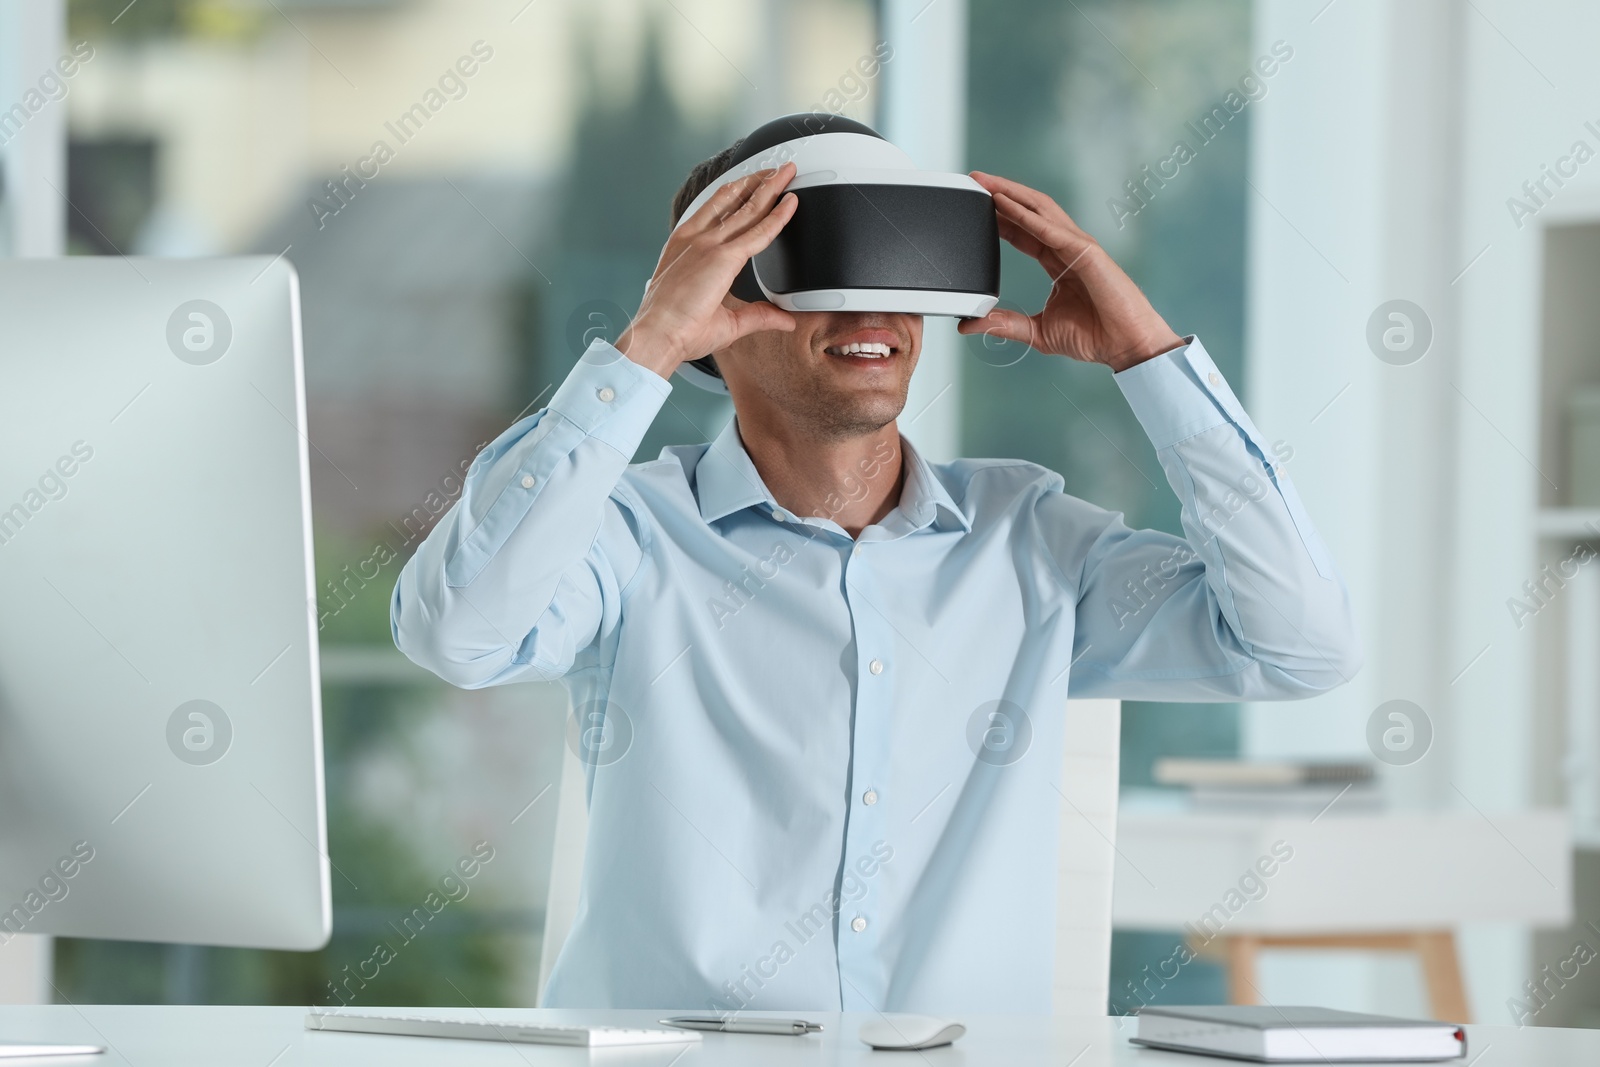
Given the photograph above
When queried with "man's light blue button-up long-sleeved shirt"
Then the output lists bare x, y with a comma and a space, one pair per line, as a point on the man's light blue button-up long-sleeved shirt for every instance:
822, 772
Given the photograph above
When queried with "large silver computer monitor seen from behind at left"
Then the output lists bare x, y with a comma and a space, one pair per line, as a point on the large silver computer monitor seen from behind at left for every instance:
161, 735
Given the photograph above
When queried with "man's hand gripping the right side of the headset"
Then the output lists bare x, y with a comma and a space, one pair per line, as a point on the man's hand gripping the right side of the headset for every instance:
1095, 313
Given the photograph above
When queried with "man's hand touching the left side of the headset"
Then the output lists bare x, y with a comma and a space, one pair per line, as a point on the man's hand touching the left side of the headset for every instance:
687, 311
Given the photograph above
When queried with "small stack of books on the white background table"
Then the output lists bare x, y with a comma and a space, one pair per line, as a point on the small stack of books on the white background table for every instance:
1278, 788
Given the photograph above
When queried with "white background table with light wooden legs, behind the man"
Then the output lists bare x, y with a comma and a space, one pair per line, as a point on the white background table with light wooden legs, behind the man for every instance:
1401, 881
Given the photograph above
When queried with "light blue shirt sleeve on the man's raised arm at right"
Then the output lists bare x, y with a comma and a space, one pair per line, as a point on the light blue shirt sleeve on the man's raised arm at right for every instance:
1249, 604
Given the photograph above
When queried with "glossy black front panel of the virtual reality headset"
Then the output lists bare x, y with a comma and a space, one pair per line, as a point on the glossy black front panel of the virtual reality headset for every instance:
886, 238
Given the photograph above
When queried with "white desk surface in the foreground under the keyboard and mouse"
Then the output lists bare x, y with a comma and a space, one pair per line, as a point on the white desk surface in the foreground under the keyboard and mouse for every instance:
262, 1037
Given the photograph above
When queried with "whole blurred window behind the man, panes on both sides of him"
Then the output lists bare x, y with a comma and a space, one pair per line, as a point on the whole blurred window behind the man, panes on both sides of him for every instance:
452, 278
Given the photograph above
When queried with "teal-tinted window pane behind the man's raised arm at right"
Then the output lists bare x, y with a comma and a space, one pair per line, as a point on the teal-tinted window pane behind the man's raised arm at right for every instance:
1087, 106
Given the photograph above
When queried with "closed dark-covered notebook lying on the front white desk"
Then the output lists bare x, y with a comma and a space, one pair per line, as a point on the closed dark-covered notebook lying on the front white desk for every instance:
1292, 1036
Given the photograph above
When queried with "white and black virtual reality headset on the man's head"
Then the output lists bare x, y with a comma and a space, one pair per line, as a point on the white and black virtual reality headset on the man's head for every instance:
870, 234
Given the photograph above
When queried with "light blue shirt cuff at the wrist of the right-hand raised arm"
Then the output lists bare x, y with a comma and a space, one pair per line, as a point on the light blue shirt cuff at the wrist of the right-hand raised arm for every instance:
1180, 394
